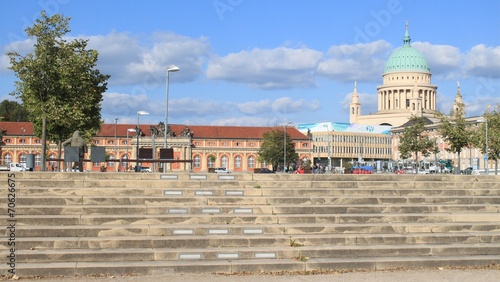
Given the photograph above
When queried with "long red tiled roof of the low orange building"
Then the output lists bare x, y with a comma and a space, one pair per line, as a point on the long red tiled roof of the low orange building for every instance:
199, 131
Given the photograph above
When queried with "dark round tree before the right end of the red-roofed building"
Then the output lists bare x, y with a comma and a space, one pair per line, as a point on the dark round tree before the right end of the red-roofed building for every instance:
272, 147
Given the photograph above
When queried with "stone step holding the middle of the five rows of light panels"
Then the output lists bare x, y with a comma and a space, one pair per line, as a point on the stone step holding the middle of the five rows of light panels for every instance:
256, 209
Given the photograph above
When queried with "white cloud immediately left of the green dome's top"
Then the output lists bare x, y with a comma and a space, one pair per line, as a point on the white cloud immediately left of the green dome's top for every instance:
358, 62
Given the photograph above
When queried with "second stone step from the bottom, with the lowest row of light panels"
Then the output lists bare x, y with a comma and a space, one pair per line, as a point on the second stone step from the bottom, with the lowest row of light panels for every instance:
282, 252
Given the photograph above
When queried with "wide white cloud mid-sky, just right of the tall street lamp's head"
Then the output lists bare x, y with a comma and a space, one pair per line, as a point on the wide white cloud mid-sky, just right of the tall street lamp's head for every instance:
267, 69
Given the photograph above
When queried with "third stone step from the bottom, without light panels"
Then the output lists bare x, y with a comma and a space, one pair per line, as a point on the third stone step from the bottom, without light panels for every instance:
179, 242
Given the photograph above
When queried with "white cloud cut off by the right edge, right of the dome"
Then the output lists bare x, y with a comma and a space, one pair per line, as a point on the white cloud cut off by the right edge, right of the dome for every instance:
483, 61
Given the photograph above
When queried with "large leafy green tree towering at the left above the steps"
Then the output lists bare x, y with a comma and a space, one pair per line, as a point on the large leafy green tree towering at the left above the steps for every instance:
58, 82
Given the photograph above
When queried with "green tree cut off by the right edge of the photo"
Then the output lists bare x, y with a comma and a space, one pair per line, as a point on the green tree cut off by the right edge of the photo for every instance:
492, 120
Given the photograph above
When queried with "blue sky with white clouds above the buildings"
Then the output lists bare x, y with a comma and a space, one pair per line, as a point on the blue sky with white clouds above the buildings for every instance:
264, 63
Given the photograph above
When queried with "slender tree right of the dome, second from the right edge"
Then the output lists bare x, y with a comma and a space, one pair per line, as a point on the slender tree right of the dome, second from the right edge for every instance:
455, 131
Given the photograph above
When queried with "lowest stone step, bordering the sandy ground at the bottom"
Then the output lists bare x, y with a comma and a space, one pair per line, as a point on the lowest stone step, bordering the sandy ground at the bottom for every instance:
74, 269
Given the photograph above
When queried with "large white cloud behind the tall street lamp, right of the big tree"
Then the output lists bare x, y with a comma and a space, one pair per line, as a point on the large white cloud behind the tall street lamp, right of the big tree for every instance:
129, 62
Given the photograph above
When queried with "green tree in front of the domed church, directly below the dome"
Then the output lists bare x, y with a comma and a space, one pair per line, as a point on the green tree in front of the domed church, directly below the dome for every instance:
414, 139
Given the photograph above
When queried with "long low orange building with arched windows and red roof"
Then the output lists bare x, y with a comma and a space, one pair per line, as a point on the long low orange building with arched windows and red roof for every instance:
196, 148
